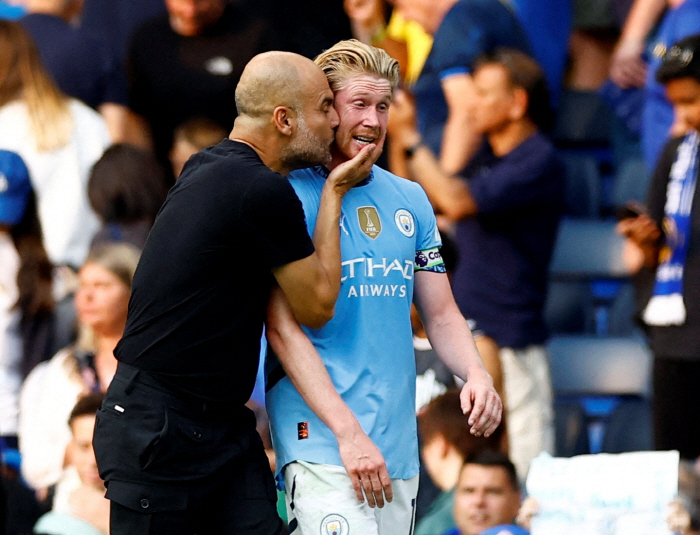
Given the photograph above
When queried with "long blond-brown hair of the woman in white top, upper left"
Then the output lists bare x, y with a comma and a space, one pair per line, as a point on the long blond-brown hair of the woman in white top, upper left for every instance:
23, 77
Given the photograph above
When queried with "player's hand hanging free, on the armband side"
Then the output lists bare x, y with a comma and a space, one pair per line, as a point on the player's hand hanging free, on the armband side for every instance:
482, 403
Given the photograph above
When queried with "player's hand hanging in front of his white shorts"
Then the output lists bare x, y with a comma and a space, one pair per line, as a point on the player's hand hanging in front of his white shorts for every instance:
366, 467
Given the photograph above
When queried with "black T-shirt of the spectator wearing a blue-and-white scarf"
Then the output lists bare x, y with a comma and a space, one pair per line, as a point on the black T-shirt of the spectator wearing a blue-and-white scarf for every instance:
677, 341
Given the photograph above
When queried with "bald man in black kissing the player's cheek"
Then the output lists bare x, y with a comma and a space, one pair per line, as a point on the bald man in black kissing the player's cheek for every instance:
175, 444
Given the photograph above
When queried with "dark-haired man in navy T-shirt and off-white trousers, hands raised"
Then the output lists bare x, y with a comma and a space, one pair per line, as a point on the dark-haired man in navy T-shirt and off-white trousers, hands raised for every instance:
507, 208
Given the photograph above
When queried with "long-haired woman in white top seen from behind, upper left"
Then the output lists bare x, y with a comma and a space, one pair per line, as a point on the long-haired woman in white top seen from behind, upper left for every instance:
58, 138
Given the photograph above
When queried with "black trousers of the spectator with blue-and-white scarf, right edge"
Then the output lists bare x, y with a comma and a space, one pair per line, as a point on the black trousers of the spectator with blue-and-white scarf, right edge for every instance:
676, 406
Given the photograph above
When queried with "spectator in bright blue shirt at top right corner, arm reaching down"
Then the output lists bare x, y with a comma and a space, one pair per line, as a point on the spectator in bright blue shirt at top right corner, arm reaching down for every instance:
681, 19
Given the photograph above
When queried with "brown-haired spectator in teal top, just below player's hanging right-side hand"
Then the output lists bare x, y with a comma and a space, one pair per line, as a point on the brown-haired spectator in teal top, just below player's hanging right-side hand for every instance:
446, 444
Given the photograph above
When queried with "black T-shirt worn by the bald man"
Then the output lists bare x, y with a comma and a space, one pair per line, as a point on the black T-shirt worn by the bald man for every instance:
200, 291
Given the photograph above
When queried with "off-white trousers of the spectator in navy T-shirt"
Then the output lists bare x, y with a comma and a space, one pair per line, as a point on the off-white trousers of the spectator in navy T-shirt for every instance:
529, 405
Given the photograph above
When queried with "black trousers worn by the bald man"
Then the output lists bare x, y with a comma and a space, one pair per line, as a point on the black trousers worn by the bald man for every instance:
177, 466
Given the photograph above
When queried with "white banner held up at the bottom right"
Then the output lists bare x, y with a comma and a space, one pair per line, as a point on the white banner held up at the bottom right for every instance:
603, 494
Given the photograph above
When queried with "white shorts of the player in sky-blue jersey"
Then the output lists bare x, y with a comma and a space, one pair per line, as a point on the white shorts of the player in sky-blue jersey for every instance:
321, 501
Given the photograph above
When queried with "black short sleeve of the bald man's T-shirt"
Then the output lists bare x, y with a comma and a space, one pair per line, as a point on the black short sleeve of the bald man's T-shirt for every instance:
275, 218
